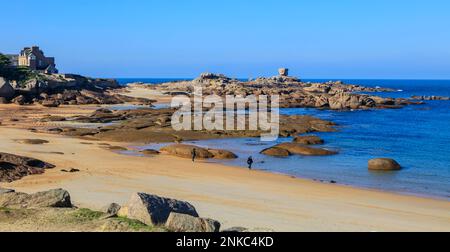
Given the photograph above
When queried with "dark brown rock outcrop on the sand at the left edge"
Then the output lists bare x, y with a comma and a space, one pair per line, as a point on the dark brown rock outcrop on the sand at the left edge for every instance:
14, 167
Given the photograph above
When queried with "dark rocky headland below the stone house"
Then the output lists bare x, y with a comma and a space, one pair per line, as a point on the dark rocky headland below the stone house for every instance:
53, 90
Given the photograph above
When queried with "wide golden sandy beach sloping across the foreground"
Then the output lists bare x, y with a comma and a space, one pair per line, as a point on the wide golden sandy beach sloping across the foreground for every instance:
232, 195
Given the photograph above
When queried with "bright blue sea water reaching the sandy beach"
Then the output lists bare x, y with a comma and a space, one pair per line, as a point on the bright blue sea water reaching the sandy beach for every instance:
417, 136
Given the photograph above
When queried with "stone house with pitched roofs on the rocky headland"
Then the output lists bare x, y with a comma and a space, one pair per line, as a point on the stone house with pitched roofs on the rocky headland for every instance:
34, 58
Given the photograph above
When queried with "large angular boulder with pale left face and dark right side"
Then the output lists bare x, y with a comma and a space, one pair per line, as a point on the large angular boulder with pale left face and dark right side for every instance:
154, 210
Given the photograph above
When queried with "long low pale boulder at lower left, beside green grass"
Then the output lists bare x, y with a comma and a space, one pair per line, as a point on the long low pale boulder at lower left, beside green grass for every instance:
53, 198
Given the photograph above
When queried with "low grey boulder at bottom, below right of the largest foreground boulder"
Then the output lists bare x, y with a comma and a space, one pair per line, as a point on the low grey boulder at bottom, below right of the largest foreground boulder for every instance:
187, 223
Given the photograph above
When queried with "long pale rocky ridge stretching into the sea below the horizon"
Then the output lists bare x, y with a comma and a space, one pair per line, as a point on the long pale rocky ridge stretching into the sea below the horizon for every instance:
293, 92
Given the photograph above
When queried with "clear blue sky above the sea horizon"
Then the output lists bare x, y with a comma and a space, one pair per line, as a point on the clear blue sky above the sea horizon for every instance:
241, 38
